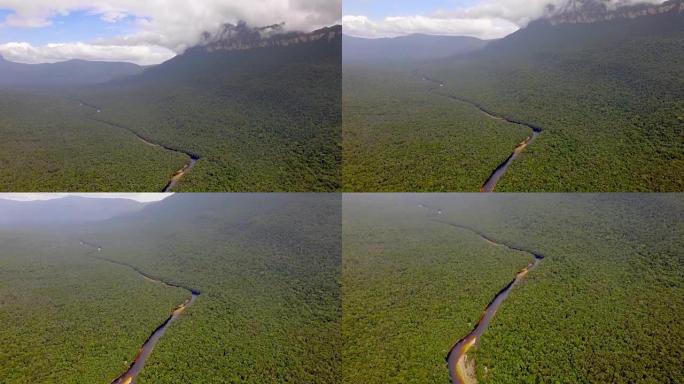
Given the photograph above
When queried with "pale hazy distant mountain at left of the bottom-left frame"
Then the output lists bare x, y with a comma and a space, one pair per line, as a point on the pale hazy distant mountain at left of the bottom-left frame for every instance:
68, 210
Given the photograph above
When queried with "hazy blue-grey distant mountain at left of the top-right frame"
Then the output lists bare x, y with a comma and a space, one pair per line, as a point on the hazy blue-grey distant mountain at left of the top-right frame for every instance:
415, 47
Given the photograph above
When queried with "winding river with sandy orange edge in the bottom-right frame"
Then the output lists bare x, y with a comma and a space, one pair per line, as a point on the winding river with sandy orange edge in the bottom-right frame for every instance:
460, 370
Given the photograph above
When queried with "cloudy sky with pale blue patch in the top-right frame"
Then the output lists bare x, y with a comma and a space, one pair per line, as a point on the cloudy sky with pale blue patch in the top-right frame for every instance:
485, 19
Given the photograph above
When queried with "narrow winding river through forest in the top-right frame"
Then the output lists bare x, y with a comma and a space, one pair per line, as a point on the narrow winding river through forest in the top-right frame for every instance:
496, 175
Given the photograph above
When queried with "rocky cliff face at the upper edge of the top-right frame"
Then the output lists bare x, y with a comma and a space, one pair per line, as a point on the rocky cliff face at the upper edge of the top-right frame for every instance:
592, 11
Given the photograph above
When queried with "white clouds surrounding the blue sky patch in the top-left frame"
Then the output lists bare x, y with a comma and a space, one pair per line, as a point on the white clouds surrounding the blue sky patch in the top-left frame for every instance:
173, 25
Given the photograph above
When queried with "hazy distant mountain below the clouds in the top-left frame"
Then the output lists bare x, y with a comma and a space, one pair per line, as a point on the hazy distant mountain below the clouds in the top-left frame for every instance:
72, 72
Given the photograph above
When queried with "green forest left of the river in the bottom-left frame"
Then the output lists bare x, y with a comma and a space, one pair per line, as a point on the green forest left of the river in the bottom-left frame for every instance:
69, 318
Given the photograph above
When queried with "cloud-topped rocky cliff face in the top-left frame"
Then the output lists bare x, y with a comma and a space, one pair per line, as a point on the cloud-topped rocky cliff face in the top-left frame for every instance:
241, 37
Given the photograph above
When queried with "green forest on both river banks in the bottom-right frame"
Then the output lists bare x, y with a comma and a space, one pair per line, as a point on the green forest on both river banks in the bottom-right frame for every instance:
604, 305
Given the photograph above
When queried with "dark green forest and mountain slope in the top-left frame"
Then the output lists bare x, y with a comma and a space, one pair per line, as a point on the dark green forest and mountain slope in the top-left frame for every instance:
262, 119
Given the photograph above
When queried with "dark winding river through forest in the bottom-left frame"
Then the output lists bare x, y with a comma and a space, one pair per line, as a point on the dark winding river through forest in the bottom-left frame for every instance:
145, 351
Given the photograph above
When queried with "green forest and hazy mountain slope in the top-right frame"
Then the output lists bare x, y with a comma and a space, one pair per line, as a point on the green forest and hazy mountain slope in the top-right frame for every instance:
607, 95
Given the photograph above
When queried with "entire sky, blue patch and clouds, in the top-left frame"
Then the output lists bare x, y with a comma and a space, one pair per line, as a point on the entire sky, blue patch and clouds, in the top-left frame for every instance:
144, 32
